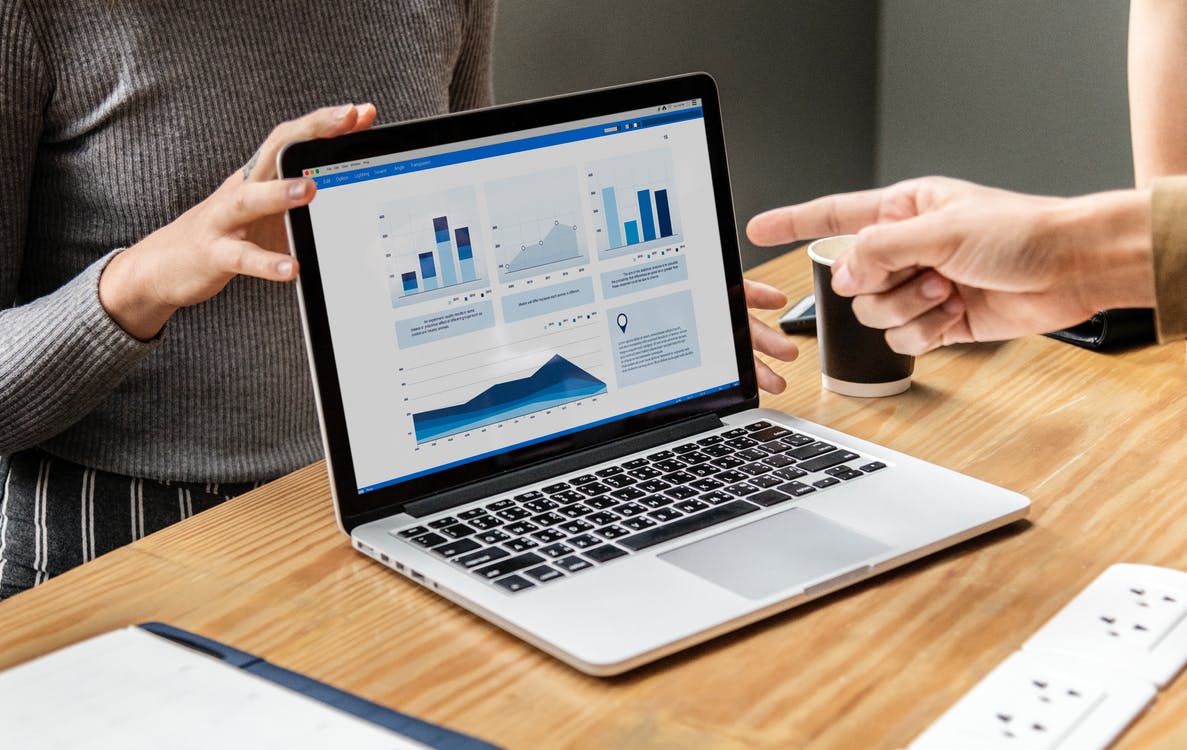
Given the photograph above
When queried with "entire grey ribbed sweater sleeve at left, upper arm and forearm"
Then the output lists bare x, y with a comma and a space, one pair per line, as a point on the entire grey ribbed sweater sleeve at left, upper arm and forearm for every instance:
60, 354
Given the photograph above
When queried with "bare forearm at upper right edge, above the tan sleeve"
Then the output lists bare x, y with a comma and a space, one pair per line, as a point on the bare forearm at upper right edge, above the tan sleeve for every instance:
1158, 88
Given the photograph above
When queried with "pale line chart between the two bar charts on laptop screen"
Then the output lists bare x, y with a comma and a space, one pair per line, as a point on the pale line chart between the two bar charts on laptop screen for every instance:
537, 226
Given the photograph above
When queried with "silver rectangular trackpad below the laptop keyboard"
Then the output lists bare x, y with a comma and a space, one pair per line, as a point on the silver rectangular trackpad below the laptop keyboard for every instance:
784, 551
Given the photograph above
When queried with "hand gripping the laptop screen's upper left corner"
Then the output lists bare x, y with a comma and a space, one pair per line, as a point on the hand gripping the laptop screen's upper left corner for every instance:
238, 231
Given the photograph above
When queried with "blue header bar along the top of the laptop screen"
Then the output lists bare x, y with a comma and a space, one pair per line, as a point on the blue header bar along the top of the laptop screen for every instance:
498, 150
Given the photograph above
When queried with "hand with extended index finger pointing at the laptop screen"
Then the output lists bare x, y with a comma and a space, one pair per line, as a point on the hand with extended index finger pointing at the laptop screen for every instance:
1020, 264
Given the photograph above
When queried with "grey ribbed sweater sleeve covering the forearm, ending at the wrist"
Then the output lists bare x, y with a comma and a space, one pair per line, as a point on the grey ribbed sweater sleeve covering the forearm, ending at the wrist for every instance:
60, 357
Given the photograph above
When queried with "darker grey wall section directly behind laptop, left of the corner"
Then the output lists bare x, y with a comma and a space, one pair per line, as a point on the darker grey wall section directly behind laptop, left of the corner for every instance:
797, 79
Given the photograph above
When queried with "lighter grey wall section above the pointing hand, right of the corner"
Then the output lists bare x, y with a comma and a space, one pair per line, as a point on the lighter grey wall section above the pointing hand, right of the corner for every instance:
1023, 94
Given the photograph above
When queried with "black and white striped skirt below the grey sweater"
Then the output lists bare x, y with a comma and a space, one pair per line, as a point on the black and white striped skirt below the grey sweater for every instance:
56, 516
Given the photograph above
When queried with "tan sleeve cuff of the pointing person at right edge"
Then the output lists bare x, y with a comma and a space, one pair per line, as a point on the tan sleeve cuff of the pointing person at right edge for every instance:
1169, 226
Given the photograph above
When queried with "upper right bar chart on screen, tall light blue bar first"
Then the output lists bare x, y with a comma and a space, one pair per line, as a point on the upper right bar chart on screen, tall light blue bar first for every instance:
634, 207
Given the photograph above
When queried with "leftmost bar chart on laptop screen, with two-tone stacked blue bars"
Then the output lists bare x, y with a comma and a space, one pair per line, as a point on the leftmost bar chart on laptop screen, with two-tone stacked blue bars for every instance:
431, 247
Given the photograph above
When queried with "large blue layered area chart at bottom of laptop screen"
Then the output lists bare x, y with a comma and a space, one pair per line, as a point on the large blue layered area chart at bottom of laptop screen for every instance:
507, 383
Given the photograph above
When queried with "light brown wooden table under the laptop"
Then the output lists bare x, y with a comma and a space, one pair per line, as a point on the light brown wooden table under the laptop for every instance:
1095, 441
